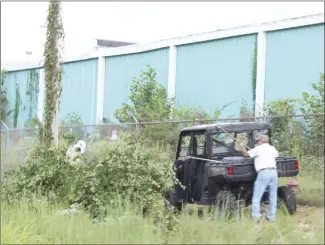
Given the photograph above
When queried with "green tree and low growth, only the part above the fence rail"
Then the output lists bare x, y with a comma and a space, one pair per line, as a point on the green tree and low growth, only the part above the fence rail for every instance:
149, 102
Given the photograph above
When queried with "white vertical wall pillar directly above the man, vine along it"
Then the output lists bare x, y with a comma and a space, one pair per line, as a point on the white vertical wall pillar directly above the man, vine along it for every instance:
260, 74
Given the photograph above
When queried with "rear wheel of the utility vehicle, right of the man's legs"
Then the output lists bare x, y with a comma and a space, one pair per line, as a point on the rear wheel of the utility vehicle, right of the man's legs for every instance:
287, 199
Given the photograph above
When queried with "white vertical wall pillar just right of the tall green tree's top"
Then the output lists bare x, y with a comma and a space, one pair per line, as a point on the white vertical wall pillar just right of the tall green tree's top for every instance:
172, 71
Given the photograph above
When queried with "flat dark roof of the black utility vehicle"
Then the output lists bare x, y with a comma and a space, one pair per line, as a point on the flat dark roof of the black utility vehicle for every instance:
229, 127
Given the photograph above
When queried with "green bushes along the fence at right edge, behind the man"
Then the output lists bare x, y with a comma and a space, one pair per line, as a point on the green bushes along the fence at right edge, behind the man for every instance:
297, 136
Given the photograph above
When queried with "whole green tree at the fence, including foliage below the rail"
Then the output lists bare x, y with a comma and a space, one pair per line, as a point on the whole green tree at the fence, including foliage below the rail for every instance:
148, 101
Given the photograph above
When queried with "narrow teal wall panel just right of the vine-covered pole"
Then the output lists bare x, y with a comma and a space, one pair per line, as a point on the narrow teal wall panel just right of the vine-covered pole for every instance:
79, 93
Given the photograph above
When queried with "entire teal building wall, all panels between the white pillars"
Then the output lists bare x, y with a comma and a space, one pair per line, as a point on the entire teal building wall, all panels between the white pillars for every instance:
208, 75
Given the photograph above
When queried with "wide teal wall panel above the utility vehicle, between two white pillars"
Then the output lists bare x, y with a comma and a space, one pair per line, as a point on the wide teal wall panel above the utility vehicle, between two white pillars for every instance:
212, 74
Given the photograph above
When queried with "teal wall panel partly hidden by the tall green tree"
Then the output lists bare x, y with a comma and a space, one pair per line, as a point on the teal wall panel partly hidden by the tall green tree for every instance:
120, 70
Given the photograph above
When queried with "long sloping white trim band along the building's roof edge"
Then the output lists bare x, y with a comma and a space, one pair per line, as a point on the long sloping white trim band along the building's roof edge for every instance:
237, 31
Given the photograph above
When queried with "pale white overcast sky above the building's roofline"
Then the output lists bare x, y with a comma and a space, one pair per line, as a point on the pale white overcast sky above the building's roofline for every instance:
23, 24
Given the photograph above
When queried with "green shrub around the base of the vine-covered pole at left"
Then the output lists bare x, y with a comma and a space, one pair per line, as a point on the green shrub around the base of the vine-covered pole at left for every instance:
46, 172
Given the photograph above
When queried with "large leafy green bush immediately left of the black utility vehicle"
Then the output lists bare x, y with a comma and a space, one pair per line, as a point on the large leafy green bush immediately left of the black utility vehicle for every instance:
128, 170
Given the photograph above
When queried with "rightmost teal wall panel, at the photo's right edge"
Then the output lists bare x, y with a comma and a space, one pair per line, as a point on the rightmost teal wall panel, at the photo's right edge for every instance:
294, 60
